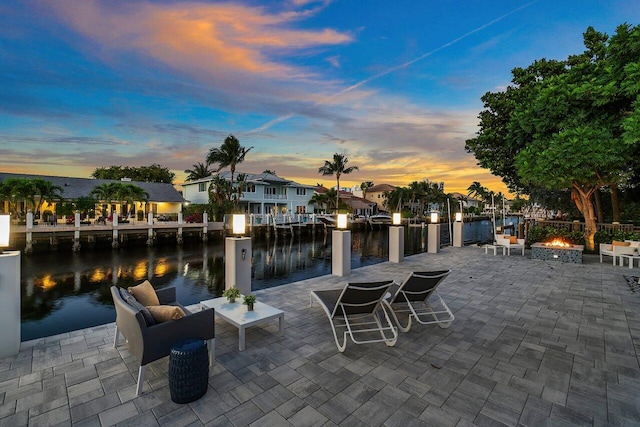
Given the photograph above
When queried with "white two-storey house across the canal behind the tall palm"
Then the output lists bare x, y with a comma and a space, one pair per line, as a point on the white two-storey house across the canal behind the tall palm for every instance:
265, 193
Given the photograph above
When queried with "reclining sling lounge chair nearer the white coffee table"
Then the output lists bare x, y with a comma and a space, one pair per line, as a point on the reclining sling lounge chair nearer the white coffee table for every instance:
358, 311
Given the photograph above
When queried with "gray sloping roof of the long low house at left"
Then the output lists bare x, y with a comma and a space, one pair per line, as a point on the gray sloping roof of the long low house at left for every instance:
74, 188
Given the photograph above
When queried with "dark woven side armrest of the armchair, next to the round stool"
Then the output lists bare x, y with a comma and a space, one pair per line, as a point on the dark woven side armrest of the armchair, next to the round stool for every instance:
159, 338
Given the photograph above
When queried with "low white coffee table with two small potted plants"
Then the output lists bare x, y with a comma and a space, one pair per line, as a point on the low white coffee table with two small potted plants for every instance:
237, 314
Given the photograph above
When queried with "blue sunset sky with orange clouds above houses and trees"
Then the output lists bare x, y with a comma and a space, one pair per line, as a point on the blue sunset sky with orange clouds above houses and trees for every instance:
394, 85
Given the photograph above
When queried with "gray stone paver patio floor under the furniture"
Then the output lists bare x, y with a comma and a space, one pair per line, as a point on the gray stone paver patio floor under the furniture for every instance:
534, 343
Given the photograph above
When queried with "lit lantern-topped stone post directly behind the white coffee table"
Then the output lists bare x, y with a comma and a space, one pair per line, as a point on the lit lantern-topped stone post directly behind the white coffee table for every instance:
237, 250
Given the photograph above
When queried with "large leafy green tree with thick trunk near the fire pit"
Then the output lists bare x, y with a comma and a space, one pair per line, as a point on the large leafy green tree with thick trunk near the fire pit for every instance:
571, 124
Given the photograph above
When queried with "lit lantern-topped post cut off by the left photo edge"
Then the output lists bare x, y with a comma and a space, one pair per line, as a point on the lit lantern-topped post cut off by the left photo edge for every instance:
9, 293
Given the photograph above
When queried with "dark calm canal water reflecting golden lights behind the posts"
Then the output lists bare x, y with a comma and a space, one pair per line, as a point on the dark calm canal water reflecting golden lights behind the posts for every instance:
64, 291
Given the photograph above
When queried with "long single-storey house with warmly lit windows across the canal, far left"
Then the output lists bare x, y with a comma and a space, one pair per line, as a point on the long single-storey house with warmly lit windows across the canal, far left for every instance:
163, 198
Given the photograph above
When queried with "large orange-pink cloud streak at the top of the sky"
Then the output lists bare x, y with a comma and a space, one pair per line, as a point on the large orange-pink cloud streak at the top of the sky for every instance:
203, 40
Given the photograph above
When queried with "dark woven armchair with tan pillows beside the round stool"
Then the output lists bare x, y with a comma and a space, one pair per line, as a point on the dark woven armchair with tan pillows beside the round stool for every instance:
153, 342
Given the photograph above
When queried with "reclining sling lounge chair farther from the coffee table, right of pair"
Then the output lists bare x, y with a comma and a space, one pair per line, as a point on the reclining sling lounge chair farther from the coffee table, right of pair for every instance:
412, 297
